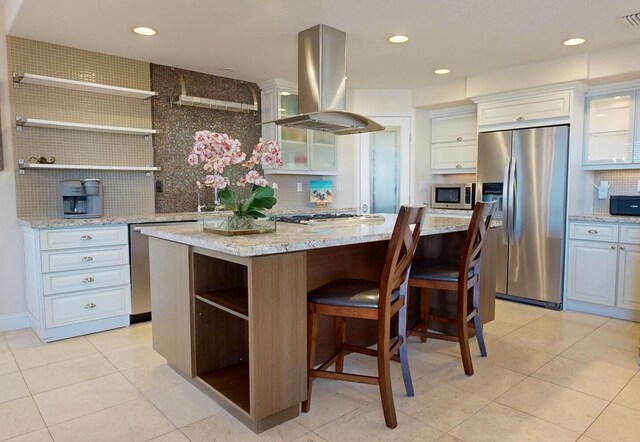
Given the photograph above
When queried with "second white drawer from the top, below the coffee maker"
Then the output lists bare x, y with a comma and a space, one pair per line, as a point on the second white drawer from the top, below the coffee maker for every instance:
84, 259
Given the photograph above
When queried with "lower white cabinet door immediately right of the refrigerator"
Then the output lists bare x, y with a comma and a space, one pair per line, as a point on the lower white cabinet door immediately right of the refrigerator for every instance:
592, 271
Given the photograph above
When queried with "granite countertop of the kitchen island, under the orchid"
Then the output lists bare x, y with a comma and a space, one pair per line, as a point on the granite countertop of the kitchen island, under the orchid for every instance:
295, 237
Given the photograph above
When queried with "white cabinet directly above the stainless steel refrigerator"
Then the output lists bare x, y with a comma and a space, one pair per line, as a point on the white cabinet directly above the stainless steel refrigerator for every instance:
522, 111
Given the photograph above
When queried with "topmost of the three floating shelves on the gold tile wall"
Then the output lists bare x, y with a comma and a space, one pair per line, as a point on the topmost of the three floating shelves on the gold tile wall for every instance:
64, 83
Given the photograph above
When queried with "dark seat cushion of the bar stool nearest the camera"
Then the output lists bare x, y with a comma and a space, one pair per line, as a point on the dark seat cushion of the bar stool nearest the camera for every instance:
349, 293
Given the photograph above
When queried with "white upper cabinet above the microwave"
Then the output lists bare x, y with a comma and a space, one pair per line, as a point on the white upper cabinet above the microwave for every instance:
454, 141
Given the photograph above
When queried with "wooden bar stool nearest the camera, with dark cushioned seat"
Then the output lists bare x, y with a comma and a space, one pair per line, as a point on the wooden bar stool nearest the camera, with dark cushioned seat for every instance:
355, 298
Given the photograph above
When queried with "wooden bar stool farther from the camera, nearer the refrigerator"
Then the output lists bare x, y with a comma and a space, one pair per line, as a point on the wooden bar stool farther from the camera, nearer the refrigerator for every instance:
460, 278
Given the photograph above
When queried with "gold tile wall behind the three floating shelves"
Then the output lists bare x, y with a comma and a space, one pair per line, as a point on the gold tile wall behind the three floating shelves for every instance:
37, 191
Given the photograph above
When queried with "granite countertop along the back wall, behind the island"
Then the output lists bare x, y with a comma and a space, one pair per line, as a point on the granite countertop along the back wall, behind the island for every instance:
48, 223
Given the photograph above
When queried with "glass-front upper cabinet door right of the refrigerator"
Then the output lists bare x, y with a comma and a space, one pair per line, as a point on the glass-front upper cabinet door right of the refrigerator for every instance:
612, 140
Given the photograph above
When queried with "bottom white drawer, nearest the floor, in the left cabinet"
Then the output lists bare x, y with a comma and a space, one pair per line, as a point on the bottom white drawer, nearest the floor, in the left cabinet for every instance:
87, 306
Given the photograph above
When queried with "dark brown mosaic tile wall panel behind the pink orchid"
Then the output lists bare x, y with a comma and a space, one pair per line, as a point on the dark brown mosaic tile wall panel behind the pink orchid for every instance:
177, 124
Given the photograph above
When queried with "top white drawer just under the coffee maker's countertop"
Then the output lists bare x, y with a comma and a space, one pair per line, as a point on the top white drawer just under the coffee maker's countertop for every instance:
83, 237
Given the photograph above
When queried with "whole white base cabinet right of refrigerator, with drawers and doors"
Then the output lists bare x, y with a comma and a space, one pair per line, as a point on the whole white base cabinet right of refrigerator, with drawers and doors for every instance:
603, 264
